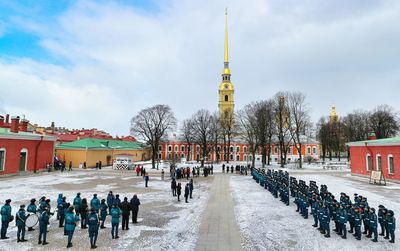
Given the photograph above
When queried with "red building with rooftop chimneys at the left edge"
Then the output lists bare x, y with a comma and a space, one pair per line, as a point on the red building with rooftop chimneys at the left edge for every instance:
22, 151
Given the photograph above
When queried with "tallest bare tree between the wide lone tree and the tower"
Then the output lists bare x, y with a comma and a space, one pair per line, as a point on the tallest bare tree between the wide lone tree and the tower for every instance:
202, 133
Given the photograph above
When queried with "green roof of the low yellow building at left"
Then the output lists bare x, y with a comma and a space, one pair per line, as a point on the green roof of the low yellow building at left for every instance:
92, 143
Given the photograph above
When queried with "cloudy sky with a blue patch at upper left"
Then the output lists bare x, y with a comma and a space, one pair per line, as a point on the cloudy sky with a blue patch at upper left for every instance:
95, 64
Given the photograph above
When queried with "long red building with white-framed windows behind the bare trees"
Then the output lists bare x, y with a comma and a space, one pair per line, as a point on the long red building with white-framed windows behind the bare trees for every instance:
239, 151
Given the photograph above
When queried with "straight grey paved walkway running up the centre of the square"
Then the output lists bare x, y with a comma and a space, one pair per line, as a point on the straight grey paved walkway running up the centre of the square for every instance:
218, 229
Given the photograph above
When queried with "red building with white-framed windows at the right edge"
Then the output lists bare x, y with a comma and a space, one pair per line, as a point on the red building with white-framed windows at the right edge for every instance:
376, 155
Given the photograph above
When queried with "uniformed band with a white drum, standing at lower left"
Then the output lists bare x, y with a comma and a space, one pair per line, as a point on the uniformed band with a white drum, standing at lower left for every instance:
70, 213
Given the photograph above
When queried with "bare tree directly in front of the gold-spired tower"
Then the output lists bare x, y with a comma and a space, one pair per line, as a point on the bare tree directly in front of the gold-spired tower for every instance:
228, 128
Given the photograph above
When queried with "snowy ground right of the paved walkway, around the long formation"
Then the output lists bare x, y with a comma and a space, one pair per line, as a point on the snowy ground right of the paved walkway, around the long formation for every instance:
268, 224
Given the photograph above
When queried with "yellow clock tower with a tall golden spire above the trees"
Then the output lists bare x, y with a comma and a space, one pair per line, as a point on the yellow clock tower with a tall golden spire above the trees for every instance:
226, 99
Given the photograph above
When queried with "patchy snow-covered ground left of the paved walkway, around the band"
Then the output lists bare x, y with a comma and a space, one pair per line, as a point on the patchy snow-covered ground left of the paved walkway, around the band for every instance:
164, 223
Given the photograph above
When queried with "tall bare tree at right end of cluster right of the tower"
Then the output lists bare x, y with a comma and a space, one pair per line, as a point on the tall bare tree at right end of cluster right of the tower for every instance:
299, 119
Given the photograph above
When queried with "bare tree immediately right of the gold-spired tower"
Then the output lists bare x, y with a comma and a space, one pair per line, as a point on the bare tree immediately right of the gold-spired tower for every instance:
247, 127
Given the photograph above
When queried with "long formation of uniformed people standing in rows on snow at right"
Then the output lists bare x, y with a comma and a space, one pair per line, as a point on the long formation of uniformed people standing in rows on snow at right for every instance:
346, 216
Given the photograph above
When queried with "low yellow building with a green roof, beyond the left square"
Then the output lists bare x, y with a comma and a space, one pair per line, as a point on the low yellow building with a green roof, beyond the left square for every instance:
93, 150
